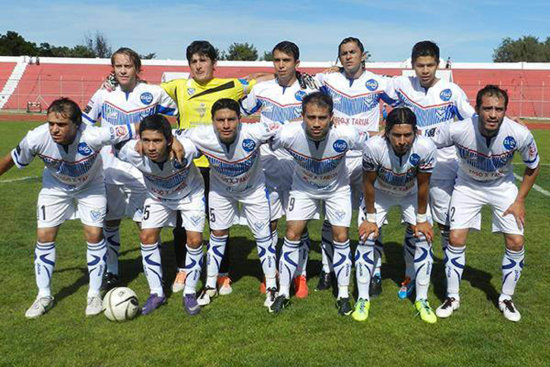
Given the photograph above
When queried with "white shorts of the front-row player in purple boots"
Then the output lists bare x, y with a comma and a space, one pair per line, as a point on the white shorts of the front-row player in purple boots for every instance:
163, 213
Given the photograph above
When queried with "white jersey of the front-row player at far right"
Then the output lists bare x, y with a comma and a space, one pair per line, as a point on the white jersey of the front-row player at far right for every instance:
488, 160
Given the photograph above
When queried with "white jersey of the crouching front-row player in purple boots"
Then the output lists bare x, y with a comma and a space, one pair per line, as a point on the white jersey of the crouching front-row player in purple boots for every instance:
170, 180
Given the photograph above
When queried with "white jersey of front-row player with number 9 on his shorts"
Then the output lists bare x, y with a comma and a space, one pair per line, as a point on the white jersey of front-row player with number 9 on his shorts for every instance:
320, 167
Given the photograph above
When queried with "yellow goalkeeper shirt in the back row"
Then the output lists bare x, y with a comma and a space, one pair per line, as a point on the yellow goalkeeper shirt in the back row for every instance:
195, 100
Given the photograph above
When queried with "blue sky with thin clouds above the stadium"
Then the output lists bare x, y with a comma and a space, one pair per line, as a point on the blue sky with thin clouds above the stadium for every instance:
467, 31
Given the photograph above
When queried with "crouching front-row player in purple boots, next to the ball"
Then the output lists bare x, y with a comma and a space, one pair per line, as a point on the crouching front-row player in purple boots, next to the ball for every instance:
173, 188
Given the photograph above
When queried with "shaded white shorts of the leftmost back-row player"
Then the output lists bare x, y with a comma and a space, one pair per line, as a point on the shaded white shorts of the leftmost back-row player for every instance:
125, 201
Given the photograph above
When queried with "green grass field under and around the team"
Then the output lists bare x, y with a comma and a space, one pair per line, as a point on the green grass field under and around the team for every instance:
236, 330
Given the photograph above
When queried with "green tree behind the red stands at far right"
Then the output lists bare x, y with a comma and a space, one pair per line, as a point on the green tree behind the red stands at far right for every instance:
526, 48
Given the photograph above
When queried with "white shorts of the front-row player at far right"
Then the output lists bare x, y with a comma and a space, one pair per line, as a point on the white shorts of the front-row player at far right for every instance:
469, 198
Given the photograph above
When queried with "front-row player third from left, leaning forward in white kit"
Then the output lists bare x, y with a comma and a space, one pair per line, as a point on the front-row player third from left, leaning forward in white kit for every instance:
236, 177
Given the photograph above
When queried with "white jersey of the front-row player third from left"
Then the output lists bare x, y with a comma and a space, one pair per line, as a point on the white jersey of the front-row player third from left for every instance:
235, 167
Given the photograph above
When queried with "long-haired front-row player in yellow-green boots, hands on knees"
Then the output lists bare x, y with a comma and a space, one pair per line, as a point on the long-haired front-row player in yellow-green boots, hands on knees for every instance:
397, 170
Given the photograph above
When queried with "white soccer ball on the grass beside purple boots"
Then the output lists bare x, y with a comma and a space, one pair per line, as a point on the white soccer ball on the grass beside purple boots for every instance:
120, 304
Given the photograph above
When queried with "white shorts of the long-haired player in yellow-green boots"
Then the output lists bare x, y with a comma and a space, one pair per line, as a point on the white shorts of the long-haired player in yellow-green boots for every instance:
384, 201
